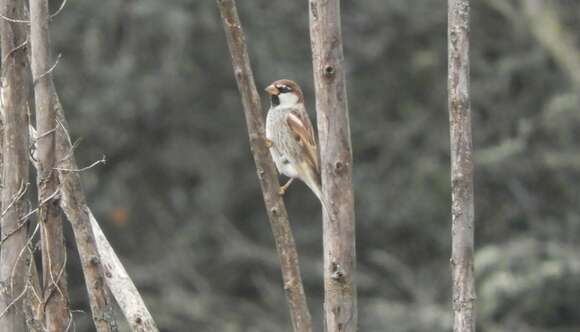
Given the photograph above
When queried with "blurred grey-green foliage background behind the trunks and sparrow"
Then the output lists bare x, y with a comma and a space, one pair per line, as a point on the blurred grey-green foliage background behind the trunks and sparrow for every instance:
149, 84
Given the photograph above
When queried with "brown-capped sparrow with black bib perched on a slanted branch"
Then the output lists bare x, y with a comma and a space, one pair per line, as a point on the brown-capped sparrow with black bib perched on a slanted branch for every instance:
290, 136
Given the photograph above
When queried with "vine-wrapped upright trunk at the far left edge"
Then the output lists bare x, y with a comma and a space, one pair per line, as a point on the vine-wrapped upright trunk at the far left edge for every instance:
15, 168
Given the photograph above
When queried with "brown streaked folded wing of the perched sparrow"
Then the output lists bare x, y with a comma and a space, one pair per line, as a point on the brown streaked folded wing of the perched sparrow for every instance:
301, 126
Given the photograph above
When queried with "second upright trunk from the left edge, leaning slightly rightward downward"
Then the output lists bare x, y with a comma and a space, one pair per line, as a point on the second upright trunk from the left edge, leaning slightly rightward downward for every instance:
55, 295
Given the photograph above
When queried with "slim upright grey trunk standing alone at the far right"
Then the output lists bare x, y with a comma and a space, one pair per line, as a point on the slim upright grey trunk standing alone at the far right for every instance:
462, 227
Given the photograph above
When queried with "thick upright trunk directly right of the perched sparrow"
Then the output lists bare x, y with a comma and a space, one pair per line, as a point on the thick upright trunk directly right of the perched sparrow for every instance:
340, 305
